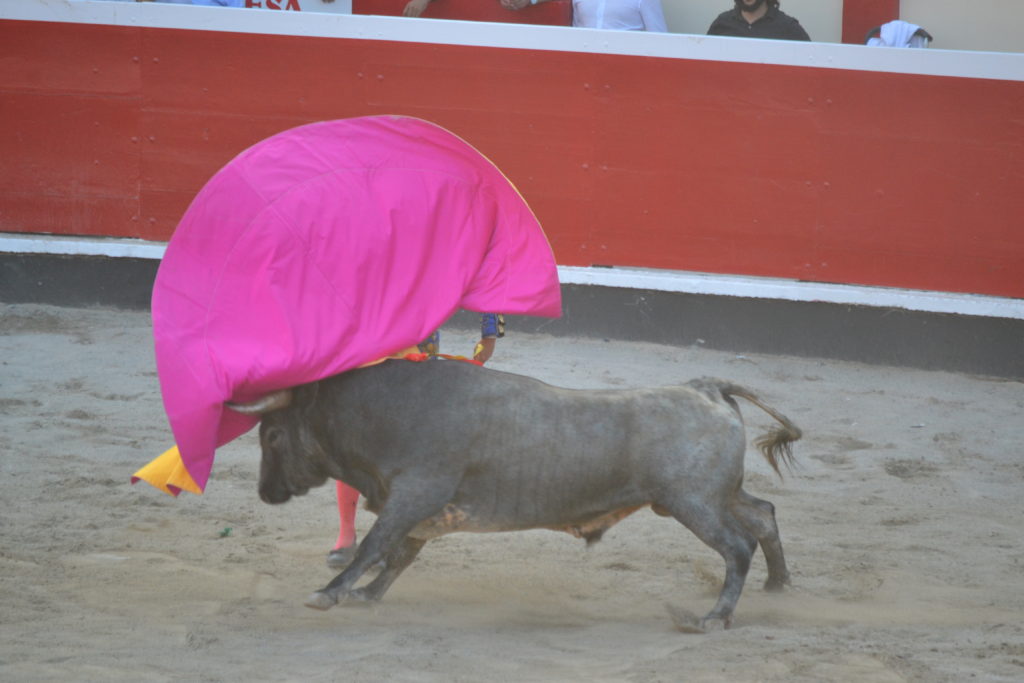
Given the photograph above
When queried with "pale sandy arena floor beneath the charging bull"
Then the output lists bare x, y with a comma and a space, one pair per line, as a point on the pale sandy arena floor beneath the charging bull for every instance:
903, 530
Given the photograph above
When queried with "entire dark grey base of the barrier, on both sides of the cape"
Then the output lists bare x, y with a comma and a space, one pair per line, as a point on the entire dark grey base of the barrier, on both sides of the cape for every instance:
885, 336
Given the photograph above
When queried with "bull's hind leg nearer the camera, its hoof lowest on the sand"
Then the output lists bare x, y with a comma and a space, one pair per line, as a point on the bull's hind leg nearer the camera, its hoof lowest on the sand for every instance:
714, 524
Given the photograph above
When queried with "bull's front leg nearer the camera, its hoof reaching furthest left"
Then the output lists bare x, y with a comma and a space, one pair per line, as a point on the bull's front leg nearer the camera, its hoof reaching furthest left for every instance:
409, 503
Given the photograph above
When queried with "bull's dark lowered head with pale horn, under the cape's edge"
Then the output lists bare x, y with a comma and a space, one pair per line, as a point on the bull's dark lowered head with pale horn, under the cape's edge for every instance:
294, 460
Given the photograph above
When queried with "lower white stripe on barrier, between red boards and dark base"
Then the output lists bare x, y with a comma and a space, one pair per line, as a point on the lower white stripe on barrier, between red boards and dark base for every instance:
636, 279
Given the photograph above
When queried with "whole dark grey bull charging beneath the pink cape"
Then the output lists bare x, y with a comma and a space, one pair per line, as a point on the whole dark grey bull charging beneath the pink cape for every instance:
445, 447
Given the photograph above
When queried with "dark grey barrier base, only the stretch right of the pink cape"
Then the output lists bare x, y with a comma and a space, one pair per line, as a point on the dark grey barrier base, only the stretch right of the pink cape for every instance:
882, 336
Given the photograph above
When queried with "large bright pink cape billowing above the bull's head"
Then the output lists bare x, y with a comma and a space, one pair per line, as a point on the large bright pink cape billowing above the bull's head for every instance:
327, 247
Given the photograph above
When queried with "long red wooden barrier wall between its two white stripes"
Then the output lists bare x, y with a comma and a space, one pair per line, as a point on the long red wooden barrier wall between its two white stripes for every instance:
733, 167
